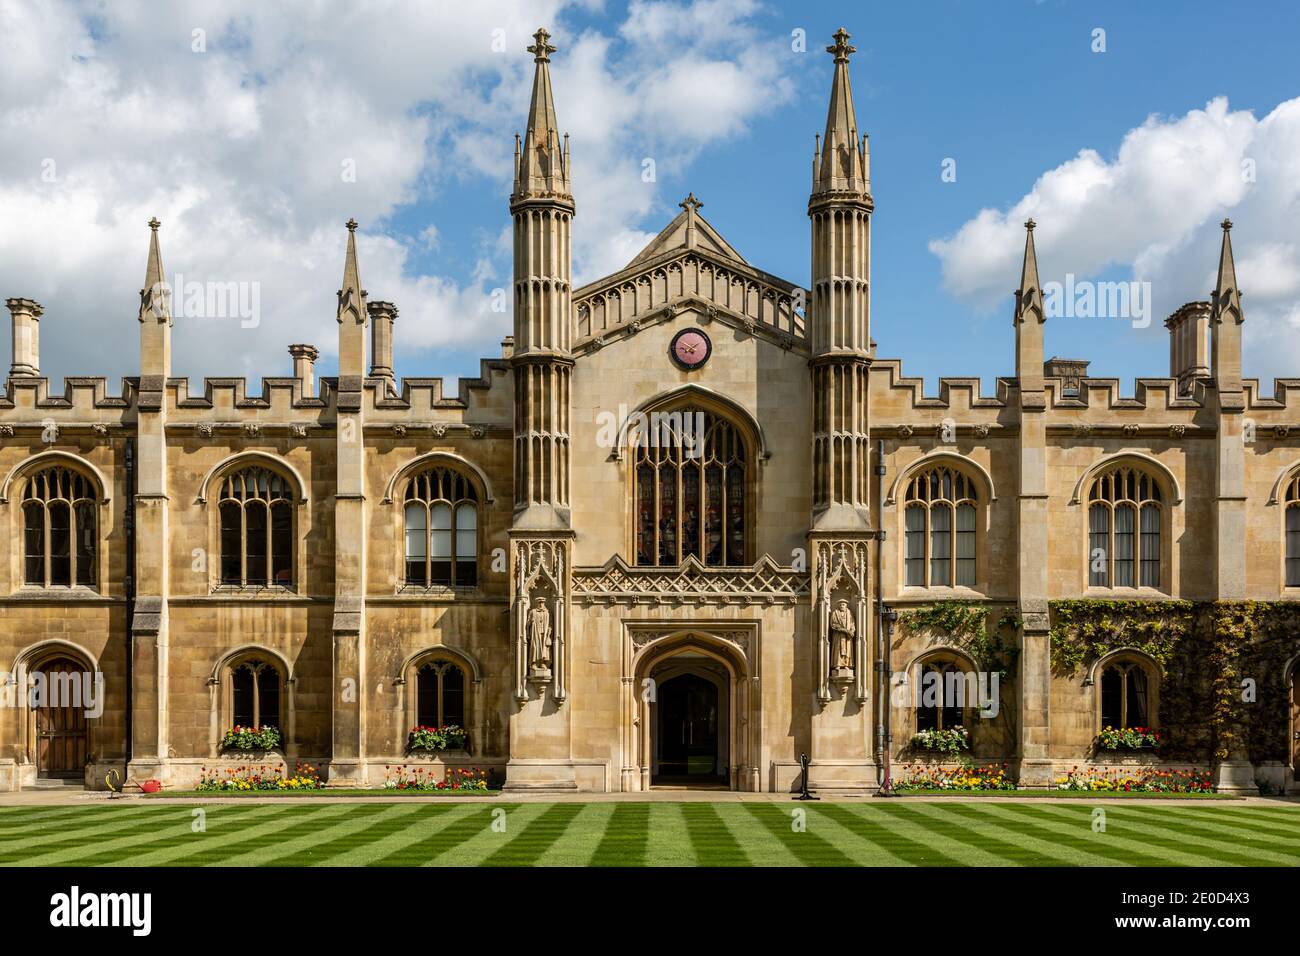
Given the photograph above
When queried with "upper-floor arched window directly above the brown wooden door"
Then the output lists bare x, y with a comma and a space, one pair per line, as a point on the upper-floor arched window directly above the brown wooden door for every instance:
60, 530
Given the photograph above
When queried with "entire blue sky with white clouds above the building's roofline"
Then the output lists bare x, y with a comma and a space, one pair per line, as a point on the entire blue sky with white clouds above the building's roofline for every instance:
1012, 92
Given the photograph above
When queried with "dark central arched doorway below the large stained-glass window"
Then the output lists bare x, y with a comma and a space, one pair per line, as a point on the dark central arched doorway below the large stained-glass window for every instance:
690, 724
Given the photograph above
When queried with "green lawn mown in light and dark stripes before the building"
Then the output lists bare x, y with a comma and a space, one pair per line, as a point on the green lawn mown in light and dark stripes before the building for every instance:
879, 833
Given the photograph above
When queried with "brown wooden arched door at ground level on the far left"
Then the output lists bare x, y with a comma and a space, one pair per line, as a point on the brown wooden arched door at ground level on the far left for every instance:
62, 694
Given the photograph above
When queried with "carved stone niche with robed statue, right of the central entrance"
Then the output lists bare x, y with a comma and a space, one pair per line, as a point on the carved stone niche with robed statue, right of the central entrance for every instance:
843, 585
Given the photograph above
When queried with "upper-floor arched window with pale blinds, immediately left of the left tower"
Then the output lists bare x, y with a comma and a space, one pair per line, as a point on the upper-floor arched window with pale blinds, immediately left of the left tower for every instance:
441, 530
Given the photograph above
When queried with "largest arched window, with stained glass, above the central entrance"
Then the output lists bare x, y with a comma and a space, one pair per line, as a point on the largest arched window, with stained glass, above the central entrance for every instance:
691, 490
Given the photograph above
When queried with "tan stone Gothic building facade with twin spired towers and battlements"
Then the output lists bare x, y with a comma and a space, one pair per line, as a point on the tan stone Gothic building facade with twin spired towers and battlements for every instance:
674, 535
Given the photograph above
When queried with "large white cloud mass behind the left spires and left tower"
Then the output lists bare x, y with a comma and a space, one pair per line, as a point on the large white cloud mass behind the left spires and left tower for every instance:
240, 150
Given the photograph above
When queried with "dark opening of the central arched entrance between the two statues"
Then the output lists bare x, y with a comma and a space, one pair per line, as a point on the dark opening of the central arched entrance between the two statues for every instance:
688, 733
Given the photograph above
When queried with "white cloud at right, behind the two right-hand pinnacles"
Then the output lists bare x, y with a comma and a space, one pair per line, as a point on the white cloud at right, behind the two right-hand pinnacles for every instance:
1155, 210
